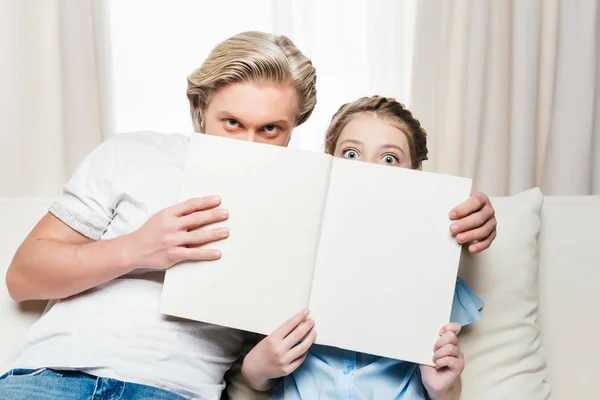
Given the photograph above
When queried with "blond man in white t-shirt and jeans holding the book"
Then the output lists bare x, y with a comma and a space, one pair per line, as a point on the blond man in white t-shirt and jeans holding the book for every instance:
103, 247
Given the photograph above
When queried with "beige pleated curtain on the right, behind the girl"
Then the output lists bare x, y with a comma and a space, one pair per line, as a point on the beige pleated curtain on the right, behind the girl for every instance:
510, 92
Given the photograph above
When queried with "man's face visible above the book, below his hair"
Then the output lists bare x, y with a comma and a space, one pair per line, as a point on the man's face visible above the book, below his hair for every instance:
263, 112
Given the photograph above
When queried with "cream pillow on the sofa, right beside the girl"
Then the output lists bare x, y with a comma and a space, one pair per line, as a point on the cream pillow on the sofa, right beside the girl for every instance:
503, 356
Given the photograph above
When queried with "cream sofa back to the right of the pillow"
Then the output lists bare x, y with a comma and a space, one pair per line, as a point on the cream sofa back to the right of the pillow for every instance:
569, 296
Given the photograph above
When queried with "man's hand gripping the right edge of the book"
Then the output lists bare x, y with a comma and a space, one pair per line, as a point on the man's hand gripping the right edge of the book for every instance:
474, 221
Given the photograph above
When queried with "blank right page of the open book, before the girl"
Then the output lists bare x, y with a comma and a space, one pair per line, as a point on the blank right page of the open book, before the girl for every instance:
387, 262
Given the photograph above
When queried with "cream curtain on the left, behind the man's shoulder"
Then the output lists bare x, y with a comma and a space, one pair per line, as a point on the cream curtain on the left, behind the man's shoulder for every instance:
55, 91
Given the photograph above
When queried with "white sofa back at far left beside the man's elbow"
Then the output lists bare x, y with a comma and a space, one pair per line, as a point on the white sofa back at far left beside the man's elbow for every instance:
18, 217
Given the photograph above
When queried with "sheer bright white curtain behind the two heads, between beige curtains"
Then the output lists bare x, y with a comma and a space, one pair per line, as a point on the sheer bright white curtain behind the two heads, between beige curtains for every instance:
359, 48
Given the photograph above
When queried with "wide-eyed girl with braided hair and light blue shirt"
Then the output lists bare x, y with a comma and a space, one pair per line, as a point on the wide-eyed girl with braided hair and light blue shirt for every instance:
376, 130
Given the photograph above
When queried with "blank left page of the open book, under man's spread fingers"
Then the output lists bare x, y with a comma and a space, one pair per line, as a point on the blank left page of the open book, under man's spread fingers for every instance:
275, 197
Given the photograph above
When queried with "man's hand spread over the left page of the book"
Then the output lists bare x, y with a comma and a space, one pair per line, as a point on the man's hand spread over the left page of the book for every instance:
171, 235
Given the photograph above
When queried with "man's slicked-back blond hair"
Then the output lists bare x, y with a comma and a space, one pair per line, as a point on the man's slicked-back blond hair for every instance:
253, 56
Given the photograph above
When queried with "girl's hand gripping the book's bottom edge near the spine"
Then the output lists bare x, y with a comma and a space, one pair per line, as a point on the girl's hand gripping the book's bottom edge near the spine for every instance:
280, 353
